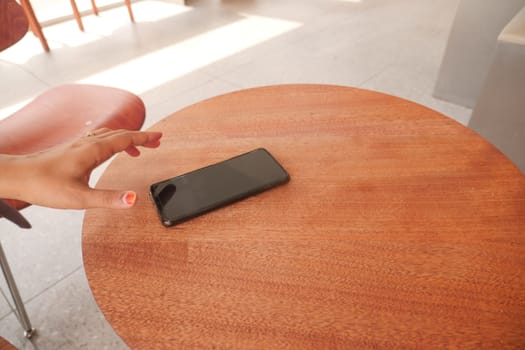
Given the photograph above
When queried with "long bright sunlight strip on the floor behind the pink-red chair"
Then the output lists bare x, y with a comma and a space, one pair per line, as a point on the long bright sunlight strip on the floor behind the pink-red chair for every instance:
154, 69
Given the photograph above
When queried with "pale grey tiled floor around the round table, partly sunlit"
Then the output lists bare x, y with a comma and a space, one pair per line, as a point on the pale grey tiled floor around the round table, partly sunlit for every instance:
174, 56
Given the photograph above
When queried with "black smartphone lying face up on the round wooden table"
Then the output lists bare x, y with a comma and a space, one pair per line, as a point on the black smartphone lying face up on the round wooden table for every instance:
200, 191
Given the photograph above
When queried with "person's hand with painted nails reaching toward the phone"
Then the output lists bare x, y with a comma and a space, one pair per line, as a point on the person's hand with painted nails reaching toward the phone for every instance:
58, 177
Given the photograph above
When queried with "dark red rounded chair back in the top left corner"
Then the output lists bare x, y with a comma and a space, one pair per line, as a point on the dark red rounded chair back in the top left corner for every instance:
13, 23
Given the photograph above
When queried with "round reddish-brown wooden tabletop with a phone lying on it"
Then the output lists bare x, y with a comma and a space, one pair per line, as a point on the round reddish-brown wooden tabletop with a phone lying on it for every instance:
400, 228
